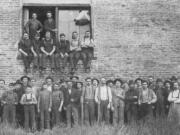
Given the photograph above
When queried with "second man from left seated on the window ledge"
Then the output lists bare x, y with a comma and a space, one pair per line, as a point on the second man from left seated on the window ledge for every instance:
35, 48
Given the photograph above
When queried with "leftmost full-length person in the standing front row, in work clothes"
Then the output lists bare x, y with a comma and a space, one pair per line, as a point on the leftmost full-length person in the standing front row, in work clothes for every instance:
9, 101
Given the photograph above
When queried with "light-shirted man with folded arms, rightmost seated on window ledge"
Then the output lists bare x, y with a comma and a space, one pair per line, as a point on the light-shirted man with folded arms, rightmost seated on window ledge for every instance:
87, 46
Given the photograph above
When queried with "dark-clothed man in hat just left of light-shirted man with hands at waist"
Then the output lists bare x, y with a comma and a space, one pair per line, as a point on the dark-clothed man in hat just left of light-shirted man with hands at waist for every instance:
131, 103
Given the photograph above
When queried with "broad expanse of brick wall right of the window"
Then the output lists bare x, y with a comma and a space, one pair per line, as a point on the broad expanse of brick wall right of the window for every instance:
137, 37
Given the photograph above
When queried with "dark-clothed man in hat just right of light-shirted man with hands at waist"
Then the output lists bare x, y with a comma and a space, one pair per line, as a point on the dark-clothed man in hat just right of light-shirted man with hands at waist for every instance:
159, 91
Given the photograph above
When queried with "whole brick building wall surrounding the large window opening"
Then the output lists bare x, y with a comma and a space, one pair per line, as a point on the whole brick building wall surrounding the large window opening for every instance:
133, 37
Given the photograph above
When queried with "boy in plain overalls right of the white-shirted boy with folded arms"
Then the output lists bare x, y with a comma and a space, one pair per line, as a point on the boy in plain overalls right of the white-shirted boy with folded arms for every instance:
44, 107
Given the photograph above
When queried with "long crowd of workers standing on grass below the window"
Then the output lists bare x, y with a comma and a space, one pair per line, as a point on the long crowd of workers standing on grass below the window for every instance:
75, 102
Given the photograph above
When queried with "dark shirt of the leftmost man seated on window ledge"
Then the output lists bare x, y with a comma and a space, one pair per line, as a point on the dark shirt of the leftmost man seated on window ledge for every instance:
25, 45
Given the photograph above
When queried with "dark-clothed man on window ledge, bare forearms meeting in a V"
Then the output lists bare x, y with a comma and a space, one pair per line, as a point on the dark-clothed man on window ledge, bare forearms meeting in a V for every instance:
48, 48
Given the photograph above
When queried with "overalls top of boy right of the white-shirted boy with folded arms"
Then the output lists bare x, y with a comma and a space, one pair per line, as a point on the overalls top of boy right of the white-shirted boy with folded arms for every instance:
45, 100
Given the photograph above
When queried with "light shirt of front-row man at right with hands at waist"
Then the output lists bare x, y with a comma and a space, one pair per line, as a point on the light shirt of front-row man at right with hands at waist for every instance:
146, 96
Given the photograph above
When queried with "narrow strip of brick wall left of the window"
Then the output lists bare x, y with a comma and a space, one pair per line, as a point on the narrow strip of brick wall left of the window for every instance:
10, 24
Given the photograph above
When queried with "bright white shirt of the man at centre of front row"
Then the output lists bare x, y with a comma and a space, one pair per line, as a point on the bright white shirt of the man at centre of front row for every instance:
103, 93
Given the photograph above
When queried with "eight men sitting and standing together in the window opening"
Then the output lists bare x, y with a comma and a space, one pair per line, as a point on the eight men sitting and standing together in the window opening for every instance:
37, 50
